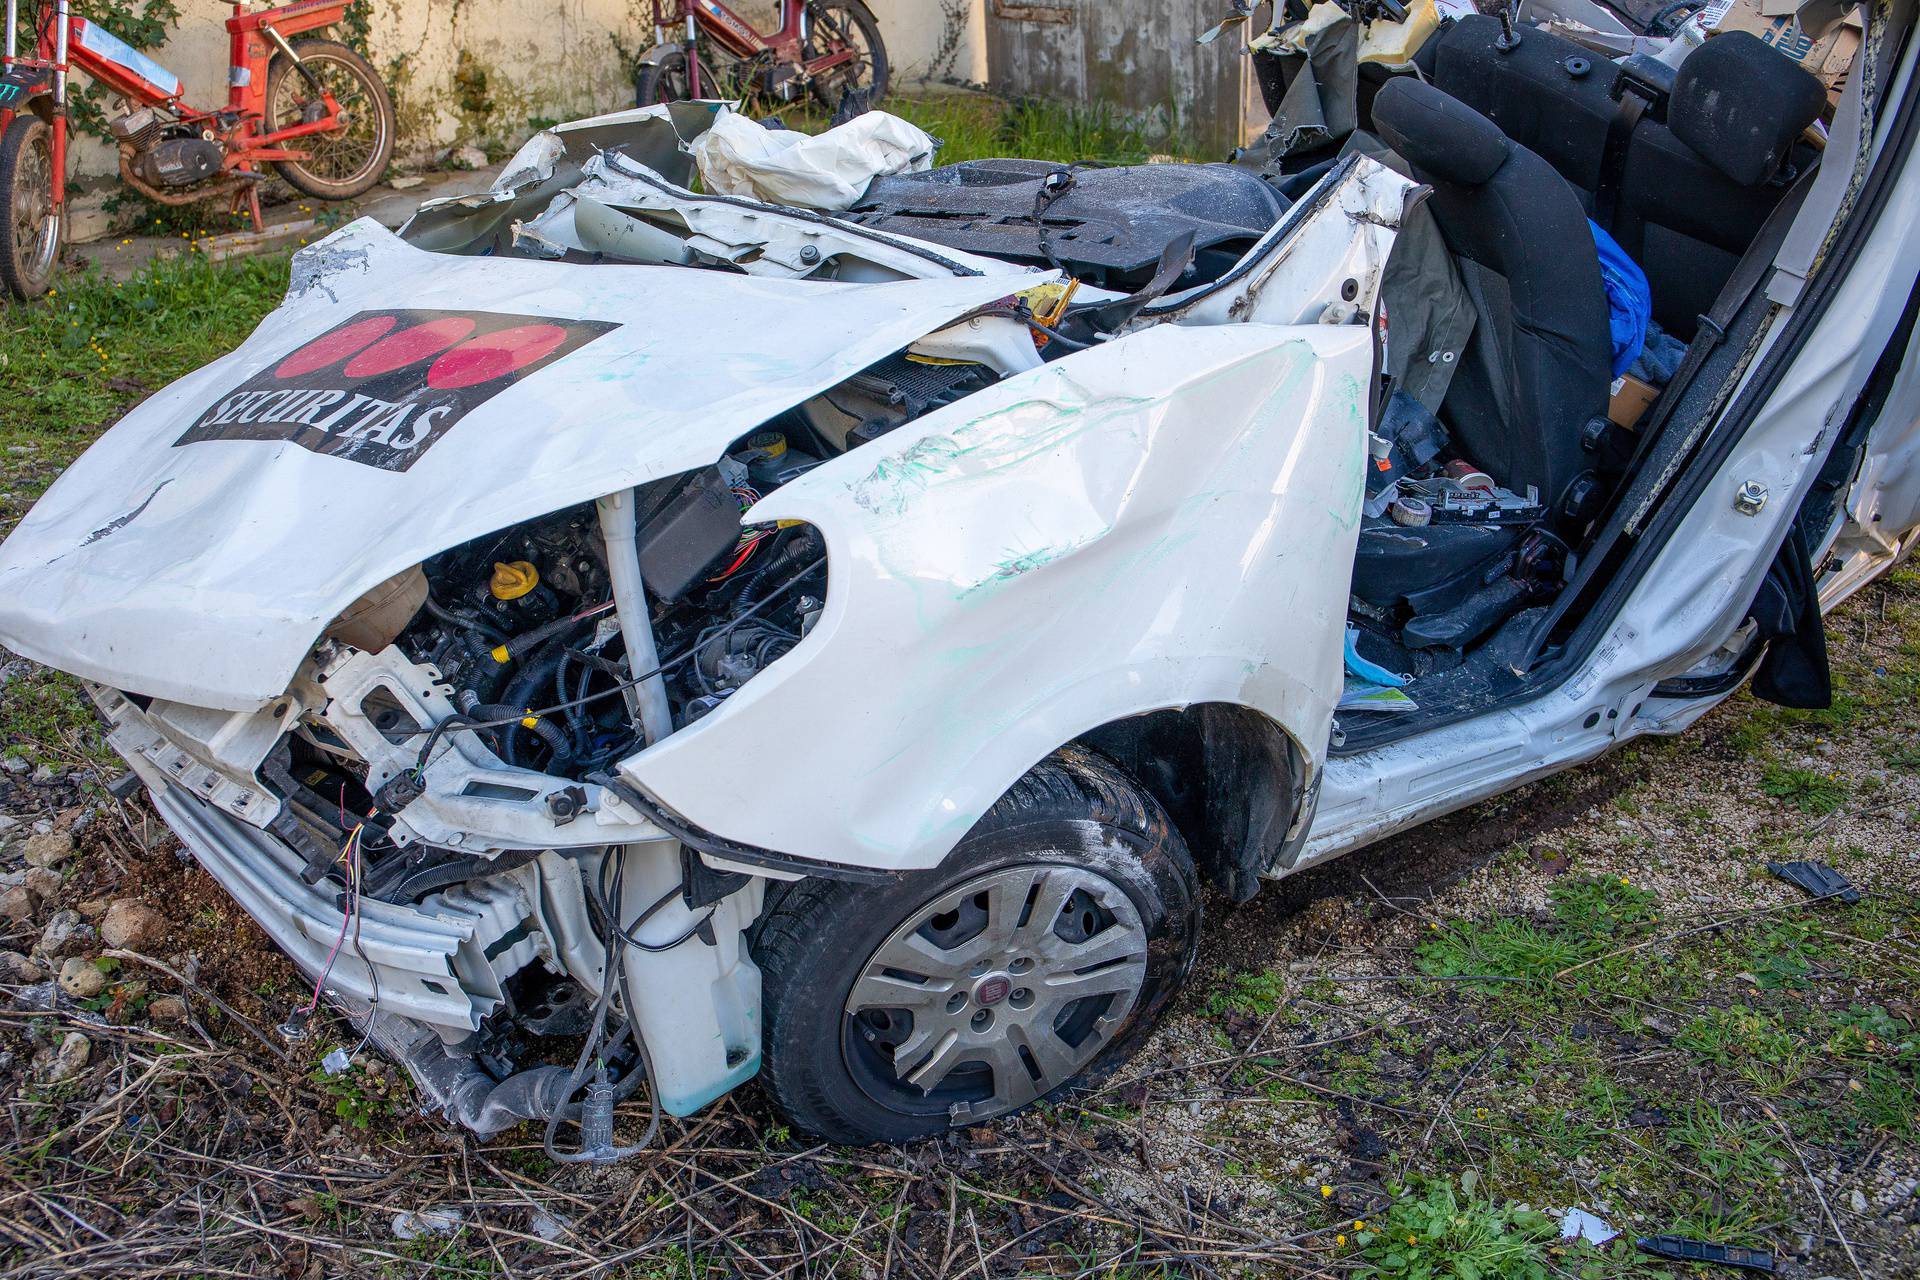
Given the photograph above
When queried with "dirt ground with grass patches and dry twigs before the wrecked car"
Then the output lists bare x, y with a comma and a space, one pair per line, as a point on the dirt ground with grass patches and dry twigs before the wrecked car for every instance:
1583, 995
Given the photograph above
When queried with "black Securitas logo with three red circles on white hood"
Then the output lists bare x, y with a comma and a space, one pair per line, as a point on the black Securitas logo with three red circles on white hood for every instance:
383, 387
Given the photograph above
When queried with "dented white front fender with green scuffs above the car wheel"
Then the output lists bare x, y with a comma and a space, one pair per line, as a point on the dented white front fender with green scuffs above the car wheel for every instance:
1136, 527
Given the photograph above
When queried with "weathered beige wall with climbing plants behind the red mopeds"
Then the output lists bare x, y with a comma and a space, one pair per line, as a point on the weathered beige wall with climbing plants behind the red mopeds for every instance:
483, 70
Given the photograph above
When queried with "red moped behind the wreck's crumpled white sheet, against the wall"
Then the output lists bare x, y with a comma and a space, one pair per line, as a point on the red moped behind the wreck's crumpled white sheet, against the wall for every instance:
828, 49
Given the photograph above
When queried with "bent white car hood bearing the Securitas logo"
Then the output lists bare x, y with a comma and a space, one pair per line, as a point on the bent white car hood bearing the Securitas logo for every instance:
398, 404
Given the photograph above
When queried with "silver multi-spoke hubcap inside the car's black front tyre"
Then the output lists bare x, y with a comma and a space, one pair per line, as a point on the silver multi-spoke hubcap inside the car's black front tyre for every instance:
996, 993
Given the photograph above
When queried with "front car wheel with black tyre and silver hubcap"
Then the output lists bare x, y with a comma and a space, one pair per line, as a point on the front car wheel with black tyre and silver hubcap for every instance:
1036, 959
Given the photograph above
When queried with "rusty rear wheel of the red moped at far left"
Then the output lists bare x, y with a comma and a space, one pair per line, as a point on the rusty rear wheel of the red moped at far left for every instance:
347, 162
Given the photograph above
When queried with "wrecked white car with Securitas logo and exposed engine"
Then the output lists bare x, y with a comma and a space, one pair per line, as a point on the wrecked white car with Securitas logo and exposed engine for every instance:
840, 648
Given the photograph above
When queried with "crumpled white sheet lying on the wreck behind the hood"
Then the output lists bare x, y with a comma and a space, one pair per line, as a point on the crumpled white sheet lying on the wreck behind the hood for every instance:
830, 170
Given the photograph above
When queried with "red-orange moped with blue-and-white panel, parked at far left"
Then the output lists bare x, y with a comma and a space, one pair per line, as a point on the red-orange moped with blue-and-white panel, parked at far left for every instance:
314, 110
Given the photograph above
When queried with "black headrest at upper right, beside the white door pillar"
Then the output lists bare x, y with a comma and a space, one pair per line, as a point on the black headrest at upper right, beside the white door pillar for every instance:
1742, 105
